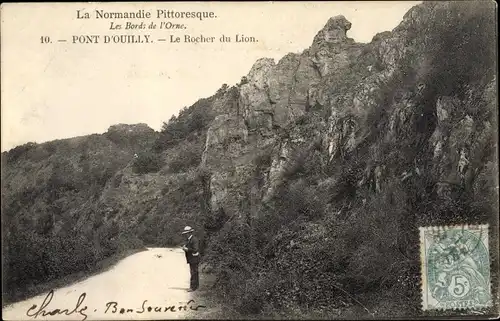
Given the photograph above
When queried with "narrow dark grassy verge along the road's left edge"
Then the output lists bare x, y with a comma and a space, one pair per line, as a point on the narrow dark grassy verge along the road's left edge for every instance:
102, 266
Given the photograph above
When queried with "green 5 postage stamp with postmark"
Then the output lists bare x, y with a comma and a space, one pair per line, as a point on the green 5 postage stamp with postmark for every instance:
455, 267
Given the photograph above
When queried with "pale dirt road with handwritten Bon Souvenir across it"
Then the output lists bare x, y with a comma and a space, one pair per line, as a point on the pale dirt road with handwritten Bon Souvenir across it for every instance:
146, 285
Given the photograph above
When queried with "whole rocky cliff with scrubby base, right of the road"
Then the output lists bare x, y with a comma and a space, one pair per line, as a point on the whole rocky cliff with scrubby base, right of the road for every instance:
399, 132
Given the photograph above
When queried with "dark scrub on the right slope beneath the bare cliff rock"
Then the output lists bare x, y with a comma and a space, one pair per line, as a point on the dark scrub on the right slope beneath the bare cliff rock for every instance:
332, 236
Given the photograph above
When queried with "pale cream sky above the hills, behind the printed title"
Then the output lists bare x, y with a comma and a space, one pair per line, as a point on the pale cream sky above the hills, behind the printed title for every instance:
63, 89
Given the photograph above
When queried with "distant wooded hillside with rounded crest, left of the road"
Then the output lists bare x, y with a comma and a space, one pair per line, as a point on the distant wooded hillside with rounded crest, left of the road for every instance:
51, 220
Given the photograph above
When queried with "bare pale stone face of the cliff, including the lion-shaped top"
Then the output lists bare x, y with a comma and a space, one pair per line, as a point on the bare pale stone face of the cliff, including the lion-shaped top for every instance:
350, 82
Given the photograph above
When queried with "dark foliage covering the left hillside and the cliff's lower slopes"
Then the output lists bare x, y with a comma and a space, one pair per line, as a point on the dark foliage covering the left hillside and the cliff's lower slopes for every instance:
338, 232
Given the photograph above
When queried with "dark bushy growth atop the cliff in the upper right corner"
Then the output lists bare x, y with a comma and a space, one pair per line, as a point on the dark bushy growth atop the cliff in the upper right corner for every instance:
462, 45
